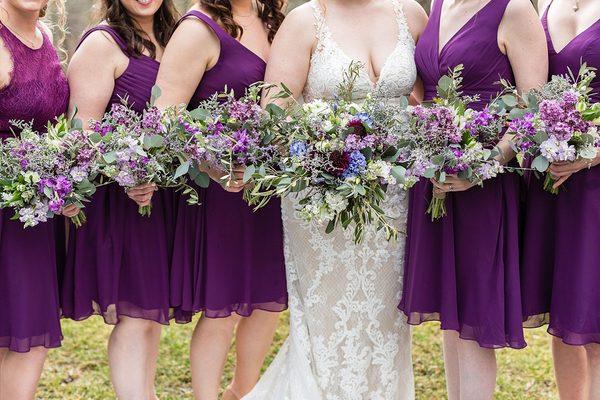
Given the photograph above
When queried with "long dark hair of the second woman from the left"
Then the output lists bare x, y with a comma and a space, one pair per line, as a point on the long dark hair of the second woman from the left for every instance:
116, 15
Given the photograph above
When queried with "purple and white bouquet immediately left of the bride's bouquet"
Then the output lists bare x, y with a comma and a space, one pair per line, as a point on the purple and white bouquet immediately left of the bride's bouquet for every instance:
226, 133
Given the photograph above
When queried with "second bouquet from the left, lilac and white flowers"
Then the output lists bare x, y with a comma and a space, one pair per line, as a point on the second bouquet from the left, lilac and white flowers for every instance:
135, 149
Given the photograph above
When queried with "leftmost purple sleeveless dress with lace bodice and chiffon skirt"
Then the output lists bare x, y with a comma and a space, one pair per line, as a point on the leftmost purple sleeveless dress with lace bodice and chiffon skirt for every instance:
29, 300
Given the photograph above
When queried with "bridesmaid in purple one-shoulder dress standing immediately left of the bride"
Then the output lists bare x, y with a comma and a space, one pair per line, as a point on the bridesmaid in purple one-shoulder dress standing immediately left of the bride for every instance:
228, 261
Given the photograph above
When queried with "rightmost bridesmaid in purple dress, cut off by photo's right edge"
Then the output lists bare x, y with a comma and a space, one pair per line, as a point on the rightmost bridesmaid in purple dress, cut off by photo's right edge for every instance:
560, 255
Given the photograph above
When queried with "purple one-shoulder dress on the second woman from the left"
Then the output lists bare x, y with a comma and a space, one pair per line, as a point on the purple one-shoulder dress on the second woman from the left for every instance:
118, 262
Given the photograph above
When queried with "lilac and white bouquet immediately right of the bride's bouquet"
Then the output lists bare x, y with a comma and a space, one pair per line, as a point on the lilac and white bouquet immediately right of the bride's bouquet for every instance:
448, 138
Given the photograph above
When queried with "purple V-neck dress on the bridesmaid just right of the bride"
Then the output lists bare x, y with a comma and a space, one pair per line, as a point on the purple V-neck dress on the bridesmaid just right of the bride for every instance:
463, 270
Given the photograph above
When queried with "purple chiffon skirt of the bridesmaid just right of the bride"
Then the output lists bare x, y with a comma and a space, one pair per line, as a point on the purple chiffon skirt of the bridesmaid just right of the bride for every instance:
463, 269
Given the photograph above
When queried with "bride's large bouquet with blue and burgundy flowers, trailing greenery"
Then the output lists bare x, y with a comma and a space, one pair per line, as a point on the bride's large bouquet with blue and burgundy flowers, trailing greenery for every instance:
340, 156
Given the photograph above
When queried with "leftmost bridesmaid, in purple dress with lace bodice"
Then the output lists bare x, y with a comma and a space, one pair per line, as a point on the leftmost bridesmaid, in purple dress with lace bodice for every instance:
32, 87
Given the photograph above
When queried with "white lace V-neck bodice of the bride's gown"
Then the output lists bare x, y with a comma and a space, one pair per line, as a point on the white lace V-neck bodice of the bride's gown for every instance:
329, 62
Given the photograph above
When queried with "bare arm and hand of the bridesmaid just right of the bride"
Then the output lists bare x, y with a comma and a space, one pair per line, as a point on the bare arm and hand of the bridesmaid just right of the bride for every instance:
522, 38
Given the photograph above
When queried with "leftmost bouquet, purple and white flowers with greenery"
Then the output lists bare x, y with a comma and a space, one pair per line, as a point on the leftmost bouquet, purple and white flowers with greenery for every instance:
42, 173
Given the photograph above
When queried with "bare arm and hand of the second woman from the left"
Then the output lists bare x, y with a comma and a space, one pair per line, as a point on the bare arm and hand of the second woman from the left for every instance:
98, 57
